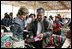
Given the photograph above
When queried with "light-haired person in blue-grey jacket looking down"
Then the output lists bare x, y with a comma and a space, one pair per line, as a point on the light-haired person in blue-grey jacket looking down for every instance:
19, 23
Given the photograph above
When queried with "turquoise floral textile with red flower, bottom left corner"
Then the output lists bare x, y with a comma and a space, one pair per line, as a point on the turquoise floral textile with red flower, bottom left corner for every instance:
6, 42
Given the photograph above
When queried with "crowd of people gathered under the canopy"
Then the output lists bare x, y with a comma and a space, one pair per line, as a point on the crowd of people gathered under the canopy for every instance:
38, 25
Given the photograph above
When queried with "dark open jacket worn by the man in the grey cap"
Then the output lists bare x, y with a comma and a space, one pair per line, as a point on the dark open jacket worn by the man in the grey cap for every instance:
46, 30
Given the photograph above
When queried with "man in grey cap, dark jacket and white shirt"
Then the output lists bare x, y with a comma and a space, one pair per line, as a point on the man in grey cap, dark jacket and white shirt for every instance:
41, 28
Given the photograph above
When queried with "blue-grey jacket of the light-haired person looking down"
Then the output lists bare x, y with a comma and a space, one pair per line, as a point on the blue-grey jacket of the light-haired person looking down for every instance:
17, 28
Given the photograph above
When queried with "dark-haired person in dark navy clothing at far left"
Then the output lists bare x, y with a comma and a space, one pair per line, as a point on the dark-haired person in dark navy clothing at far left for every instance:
6, 20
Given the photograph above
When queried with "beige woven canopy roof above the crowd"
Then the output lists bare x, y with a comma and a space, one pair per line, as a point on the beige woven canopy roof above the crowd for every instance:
47, 5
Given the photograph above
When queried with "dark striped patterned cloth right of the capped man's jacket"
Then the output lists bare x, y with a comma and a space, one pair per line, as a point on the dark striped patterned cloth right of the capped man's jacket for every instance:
58, 40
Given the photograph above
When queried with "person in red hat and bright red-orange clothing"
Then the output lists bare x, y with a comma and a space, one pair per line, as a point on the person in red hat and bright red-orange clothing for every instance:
56, 26
